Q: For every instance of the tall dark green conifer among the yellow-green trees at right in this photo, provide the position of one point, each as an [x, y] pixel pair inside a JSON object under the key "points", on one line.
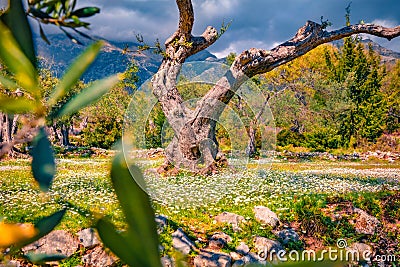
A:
{"points": [[361, 74]]}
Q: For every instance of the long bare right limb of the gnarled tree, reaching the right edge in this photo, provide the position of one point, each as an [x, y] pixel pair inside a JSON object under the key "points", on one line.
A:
{"points": [[256, 61]]}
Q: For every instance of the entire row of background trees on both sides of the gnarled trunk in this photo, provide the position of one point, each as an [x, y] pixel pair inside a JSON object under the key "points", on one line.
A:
{"points": [[330, 98]]}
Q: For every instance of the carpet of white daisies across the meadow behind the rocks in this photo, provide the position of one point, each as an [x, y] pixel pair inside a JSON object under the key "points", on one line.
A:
{"points": [[83, 186]]}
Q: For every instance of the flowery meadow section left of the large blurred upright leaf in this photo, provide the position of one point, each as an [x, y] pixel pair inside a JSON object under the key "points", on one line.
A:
{"points": [[81, 185]]}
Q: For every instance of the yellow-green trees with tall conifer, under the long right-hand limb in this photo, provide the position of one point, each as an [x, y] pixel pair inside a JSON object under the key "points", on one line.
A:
{"points": [[338, 98]]}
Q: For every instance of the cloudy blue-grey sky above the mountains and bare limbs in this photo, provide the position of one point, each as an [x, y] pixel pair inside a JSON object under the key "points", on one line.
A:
{"points": [[255, 23]]}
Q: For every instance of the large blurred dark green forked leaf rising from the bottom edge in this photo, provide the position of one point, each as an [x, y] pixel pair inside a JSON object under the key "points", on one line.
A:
{"points": [[138, 246]]}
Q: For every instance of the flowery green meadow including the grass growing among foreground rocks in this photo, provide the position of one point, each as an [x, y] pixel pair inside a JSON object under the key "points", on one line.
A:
{"points": [[292, 190]]}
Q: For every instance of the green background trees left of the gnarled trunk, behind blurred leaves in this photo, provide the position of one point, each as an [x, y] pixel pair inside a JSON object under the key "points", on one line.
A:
{"points": [[98, 125]]}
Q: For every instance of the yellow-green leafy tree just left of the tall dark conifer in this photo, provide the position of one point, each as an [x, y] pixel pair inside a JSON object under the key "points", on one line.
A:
{"points": [[306, 101]]}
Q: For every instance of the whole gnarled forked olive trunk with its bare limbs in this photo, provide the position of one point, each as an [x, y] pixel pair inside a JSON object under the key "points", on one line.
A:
{"points": [[194, 145]]}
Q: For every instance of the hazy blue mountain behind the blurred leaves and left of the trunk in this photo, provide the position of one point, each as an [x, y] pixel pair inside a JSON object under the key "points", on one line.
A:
{"points": [[62, 51]]}
